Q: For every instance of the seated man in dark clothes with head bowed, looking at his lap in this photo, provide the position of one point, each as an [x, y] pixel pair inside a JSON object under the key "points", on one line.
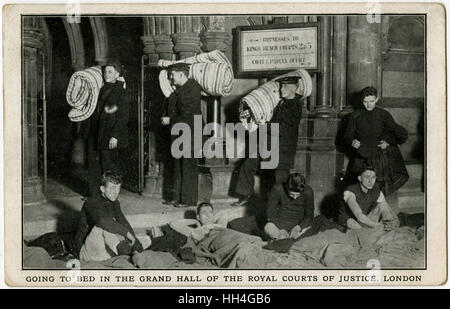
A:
{"points": [[290, 209]]}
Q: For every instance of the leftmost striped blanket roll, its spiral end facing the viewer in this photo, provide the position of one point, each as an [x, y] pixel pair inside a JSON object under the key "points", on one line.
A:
{"points": [[82, 92]]}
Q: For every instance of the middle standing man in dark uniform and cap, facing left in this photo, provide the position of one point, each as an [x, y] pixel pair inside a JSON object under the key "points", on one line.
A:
{"points": [[184, 105]]}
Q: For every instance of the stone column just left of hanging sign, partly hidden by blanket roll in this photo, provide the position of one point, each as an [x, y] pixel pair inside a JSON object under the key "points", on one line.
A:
{"points": [[216, 172]]}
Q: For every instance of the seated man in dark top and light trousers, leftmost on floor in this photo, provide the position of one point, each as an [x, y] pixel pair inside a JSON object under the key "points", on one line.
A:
{"points": [[103, 231]]}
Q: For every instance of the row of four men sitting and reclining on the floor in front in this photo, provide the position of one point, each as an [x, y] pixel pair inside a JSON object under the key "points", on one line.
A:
{"points": [[103, 230]]}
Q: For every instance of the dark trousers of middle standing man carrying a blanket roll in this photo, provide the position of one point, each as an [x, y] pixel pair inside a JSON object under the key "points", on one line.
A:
{"points": [[186, 180]]}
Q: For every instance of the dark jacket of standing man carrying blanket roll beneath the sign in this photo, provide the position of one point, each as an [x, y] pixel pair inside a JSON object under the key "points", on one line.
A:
{"points": [[287, 114]]}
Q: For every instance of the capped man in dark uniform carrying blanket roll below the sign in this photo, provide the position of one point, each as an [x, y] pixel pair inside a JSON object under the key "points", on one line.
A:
{"points": [[287, 114]]}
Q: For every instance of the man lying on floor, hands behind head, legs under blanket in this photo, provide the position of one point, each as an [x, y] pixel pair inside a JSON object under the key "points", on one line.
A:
{"points": [[211, 240]]}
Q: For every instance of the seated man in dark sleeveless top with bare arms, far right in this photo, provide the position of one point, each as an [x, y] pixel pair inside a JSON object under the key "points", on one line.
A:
{"points": [[364, 204]]}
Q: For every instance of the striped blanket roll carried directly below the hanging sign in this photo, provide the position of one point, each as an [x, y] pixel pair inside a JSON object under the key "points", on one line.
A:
{"points": [[262, 101]]}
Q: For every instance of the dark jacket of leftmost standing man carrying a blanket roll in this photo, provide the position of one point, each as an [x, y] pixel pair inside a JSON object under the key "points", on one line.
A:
{"points": [[113, 109]]}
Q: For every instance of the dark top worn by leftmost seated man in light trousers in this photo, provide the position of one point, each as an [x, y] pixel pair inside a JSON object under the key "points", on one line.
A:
{"points": [[107, 215]]}
